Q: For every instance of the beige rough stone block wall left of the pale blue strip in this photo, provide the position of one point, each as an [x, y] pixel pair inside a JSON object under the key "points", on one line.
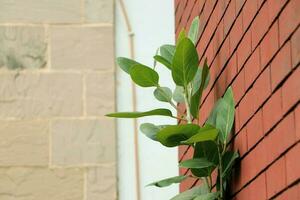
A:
{"points": [[56, 83]]}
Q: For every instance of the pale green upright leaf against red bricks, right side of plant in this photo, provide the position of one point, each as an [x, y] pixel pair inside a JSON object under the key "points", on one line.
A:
{"points": [[225, 116]]}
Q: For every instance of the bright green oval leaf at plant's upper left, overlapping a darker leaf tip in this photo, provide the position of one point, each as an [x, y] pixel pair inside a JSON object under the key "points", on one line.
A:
{"points": [[144, 76]]}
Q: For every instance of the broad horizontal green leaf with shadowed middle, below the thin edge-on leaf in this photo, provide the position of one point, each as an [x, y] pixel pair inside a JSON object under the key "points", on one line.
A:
{"points": [[172, 135]]}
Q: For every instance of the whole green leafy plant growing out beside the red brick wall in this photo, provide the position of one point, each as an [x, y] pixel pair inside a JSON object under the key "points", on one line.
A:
{"points": [[210, 140]]}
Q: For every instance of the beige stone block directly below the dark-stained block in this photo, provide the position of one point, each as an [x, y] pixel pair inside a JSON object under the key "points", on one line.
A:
{"points": [[33, 95]]}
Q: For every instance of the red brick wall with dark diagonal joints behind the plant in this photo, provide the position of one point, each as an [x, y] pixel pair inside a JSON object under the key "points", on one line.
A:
{"points": [[254, 46]]}
